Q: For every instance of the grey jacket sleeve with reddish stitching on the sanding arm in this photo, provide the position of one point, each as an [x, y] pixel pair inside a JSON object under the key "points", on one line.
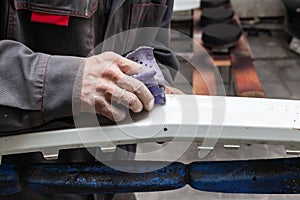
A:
{"points": [[35, 88]]}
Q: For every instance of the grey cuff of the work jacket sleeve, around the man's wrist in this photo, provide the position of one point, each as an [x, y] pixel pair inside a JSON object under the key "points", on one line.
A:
{"points": [[61, 87]]}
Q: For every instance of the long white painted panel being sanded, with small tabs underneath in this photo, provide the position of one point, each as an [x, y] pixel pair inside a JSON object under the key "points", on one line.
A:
{"points": [[184, 117]]}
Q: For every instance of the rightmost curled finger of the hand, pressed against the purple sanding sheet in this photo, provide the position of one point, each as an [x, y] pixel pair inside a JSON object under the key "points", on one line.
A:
{"points": [[139, 89]]}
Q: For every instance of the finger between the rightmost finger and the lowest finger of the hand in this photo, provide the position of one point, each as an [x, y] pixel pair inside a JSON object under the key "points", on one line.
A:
{"points": [[127, 99]]}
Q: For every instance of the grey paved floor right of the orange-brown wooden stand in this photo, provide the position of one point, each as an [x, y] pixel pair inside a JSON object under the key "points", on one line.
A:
{"points": [[277, 67]]}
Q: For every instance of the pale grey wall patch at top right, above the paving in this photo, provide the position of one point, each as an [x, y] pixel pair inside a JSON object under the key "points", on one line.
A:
{"points": [[258, 8]]}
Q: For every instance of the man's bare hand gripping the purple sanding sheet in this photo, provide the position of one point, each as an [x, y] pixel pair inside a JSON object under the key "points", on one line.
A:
{"points": [[106, 79]]}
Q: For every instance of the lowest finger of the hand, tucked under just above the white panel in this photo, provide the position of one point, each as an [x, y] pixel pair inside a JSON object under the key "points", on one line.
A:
{"points": [[108, 110]]}
